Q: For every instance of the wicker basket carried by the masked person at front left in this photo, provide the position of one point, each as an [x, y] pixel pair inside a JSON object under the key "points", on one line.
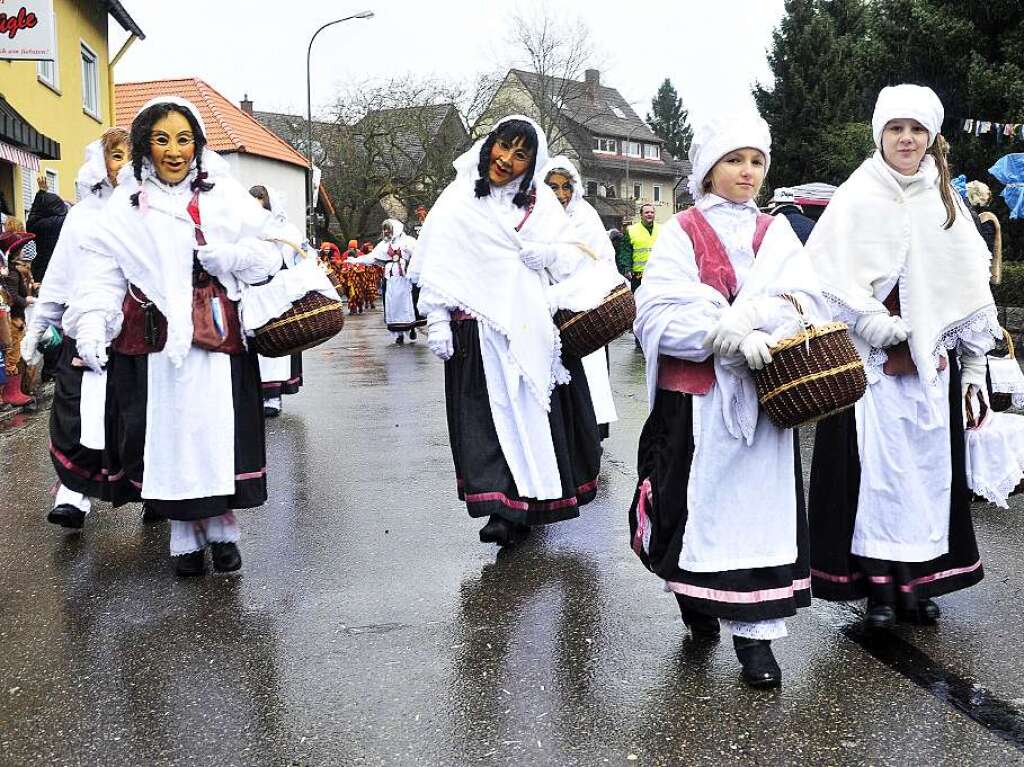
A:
{"points": [[312, 321]]}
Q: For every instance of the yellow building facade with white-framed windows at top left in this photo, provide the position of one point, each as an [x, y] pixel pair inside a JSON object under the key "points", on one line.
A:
{"points": [[70, 101]]}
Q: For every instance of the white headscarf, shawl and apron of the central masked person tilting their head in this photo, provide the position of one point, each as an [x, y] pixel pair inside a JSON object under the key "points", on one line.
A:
{"points": [[468, 258]]}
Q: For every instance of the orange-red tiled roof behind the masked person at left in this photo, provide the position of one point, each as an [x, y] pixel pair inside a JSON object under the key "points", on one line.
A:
{"points": [[229, 129]]}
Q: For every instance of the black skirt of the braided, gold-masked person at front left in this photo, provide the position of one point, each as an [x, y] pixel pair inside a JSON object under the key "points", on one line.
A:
{"points": [[126, 407]]}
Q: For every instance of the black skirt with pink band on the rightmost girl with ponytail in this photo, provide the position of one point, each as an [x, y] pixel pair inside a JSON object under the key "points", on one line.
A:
{"points": [[838, 575]]}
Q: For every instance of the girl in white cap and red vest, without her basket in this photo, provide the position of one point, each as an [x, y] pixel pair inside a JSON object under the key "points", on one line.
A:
{"points": [[719, 510]]}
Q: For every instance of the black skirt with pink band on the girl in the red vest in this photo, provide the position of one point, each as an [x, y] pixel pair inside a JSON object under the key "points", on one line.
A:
{"points": [[658, 521]]}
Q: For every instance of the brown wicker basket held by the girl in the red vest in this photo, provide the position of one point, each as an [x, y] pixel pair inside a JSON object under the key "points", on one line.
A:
{"points": [[813, 375]]}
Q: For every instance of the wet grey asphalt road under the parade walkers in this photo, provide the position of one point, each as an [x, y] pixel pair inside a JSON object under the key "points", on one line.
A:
{"points": [[369, 625]]}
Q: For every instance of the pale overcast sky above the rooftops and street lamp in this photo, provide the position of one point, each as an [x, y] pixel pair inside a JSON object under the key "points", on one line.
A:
{"points": [[713, 51]]}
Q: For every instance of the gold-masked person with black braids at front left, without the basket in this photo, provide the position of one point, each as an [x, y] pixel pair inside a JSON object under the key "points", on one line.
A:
{"points": [[166, 266]]}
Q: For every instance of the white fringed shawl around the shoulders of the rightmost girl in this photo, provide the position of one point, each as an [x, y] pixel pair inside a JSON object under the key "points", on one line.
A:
{"points": [[876, 229]]}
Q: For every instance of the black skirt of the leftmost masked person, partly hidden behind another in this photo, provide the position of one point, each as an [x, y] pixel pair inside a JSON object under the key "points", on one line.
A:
{"points": [[80, 470]]}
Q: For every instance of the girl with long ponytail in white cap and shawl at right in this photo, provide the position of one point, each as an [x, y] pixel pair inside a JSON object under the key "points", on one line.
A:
{"points": [[904, 266]]}
